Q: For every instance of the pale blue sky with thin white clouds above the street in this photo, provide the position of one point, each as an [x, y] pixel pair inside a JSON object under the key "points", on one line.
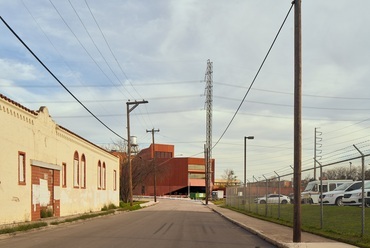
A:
{"points": [[110, 52]]}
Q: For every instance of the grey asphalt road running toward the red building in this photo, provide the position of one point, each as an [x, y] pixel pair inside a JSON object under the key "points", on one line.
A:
{"points": [[170, 223]]}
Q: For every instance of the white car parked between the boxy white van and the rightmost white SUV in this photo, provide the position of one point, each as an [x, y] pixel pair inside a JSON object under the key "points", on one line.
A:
{"points": [[335, 197]]}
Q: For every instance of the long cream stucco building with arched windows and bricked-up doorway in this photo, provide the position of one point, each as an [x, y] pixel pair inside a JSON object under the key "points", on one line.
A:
{"points": [[47, 169]]}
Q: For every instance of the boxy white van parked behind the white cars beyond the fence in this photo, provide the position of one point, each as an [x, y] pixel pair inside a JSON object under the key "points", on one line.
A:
{"points": [[312, 191]]}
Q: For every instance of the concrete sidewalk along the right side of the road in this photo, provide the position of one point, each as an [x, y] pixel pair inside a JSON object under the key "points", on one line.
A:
{"points": [[279, 235]]}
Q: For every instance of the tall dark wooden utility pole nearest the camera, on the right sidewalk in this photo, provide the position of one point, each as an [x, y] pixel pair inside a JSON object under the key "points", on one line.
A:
{"points": [[297, 120]]}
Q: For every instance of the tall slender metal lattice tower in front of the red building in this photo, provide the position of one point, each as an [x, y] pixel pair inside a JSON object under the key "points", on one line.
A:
{"points": [[208, 147]]}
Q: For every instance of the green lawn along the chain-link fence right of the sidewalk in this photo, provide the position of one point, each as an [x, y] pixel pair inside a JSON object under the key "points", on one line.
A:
{"points": [[339, 223]]}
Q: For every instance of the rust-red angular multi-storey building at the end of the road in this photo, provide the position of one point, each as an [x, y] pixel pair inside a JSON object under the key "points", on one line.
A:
{"points": [[174, 175]]}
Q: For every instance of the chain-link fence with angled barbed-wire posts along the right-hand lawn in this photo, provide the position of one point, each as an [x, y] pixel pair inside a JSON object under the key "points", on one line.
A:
{"points": [[273, 197]]}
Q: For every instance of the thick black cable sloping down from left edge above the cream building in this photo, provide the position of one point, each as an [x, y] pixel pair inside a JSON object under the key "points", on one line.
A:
{"points": [[52, 74]]}
